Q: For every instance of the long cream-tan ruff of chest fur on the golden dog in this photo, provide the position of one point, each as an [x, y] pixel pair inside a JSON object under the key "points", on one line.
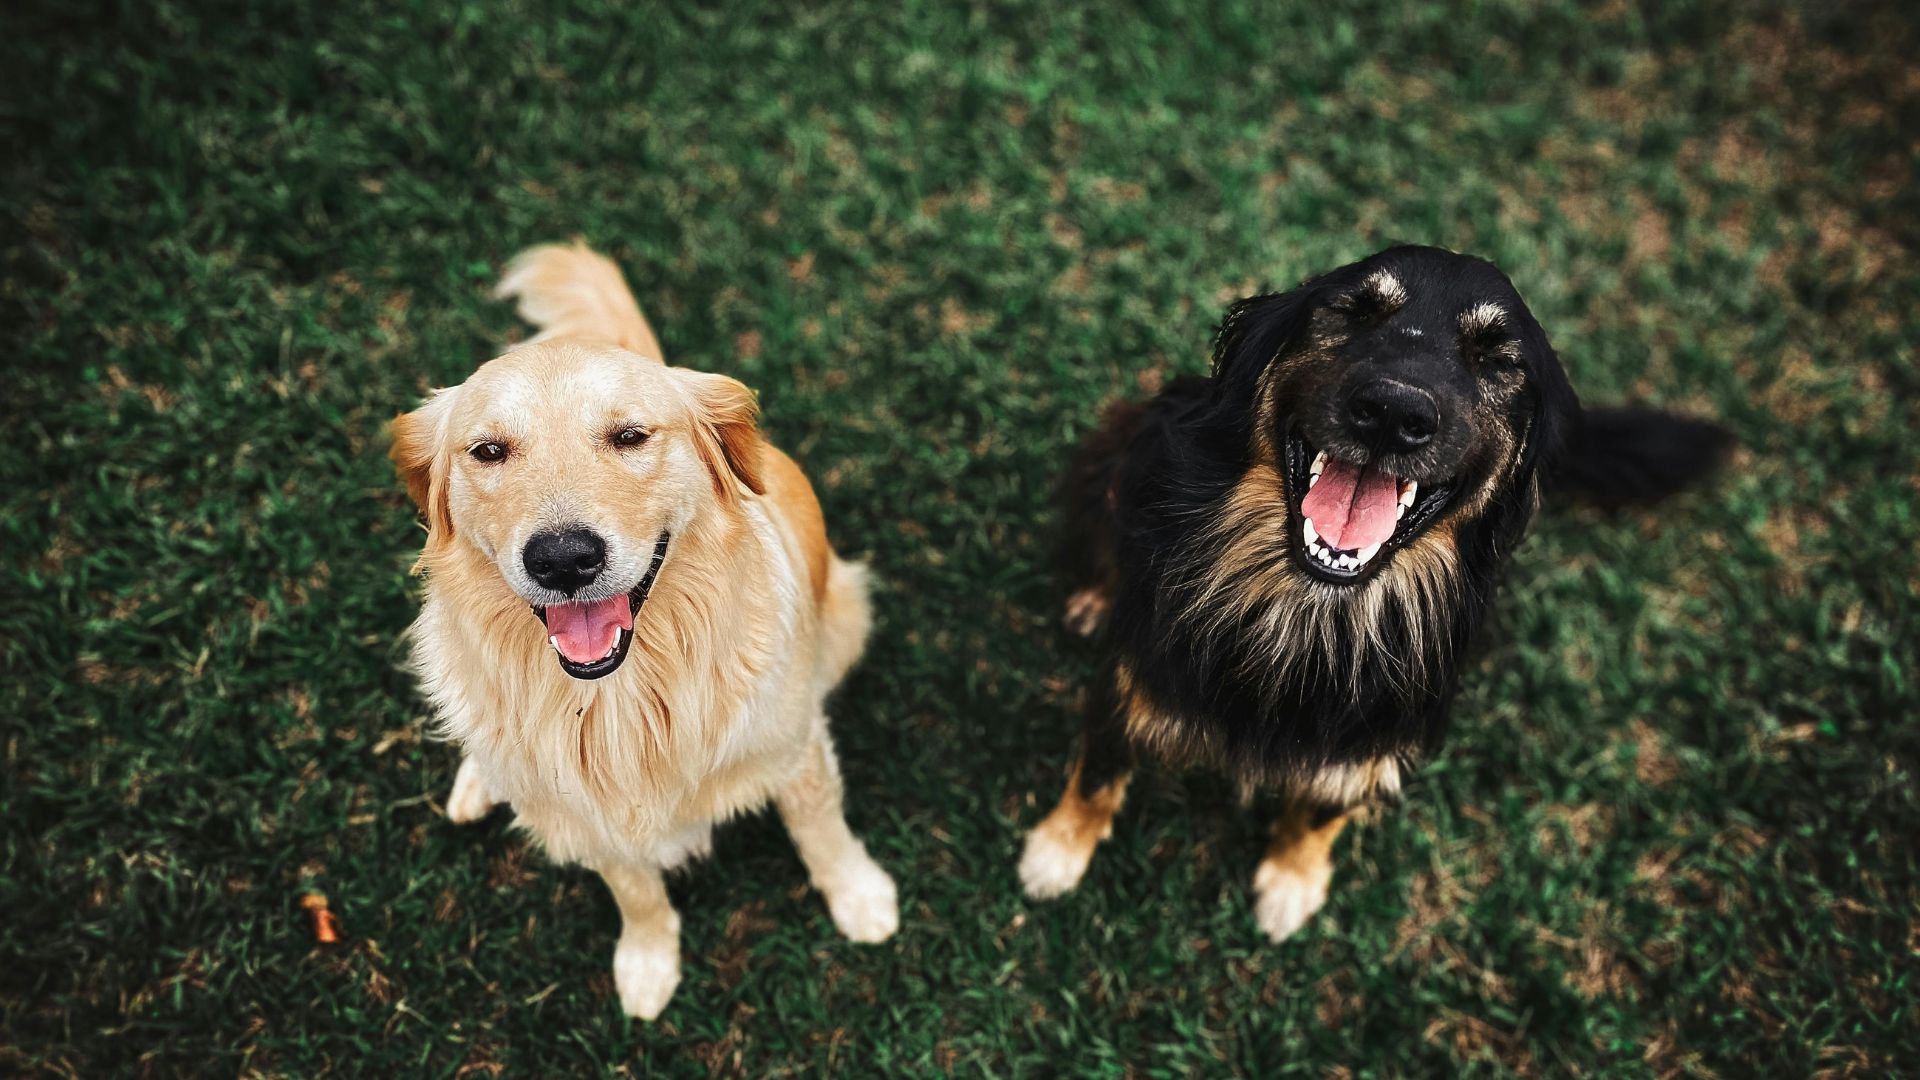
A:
{"points": [[704, 722]]}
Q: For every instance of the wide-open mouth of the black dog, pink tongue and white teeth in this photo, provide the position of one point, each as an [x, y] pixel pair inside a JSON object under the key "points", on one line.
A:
{"points": [[1355, 516]]}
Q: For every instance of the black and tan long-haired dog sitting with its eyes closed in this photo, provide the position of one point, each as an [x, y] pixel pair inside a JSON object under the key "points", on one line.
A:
{"points": [[1289, 560]]}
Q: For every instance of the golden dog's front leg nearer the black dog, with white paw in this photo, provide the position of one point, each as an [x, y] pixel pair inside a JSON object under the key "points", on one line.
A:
{"points": [[861, 896]]}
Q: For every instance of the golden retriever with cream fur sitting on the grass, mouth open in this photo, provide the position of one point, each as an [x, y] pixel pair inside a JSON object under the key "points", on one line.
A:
{"points": [[633, 614]]}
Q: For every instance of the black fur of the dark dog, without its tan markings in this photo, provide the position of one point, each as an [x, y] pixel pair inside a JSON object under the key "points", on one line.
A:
{"points": [[1149, 489]]}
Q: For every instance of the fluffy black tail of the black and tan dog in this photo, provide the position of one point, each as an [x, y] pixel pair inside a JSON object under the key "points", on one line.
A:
{"points": [[1621, 456]]}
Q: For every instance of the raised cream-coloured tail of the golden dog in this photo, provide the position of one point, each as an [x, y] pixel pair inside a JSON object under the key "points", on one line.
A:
{"points": [[569, 291]]}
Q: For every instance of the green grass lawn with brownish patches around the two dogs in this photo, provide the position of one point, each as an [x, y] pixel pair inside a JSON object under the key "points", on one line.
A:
{"points": [[1675, 831]]}
